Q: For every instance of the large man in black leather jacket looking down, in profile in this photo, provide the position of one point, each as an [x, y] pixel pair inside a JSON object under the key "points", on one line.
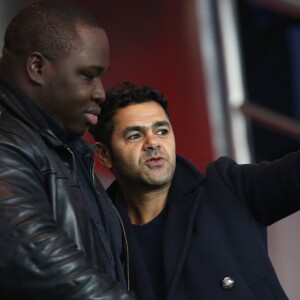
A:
{"points": [[60, 235]]}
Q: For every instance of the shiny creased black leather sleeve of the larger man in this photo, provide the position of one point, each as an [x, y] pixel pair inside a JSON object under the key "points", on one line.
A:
{"points": [[37, 259]]}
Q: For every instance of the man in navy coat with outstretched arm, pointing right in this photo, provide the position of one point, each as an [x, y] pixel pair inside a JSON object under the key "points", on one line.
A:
{"points": [[190, 235]]}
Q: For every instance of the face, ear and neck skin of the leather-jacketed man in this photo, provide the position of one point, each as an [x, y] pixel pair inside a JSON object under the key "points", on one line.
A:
{"points": [[70, 89]]}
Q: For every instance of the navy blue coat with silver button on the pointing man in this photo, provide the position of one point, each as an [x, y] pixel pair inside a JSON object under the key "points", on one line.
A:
{"points": [[216, 227]]}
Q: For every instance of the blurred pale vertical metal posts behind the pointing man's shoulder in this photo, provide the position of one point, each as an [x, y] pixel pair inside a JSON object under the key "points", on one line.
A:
{"points": [[219, 42]]}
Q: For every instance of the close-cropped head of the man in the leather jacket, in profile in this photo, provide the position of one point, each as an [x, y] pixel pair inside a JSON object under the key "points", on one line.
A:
{"points": [[56, 54]]}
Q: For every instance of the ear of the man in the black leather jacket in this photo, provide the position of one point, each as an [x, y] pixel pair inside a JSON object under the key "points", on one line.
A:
{"points": [[35, 67]]}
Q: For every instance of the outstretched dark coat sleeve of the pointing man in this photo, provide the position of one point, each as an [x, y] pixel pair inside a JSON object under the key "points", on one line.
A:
{"points": [[271, 190]]}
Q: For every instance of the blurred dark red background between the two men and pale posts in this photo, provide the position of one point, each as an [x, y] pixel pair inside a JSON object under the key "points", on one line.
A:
{"points": [[156, 43]]}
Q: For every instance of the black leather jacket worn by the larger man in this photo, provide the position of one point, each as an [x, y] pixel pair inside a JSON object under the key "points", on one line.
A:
{"points": [[49, 248]]}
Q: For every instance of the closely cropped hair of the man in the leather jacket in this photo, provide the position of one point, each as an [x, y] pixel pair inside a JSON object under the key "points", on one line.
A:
{"points": [[49, 27]]}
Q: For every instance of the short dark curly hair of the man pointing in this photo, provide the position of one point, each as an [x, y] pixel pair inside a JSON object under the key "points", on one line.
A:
{"points": [[121, 96]]}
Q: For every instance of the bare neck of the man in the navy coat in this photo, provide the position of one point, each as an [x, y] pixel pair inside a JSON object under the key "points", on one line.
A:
{"points": [[143, 207]]}
